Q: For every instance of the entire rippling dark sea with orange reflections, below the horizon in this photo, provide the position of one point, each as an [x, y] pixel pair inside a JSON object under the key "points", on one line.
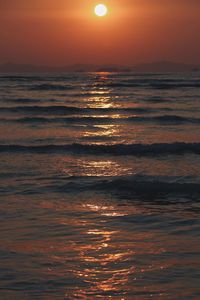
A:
{"points": [[100, 186]]}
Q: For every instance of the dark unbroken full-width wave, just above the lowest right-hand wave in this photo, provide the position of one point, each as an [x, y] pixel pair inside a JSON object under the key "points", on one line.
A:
{"points": [[115, 149]]}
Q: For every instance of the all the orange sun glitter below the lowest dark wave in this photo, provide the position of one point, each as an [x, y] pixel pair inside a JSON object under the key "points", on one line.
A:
{"points": [[108, 260]]}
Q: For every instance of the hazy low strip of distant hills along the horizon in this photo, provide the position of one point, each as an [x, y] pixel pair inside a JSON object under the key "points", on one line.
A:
{"points": [[162, 66]]}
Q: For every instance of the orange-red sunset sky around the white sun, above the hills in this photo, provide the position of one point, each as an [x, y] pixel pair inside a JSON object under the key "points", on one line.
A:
{"points": [[63, 32]]}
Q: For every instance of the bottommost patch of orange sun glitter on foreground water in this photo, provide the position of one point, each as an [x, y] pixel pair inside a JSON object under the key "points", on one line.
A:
{"points": [[104, 266]]}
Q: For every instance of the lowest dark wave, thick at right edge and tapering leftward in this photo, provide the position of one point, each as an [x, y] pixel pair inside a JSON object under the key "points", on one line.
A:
{"points": [[132, 184]]}
